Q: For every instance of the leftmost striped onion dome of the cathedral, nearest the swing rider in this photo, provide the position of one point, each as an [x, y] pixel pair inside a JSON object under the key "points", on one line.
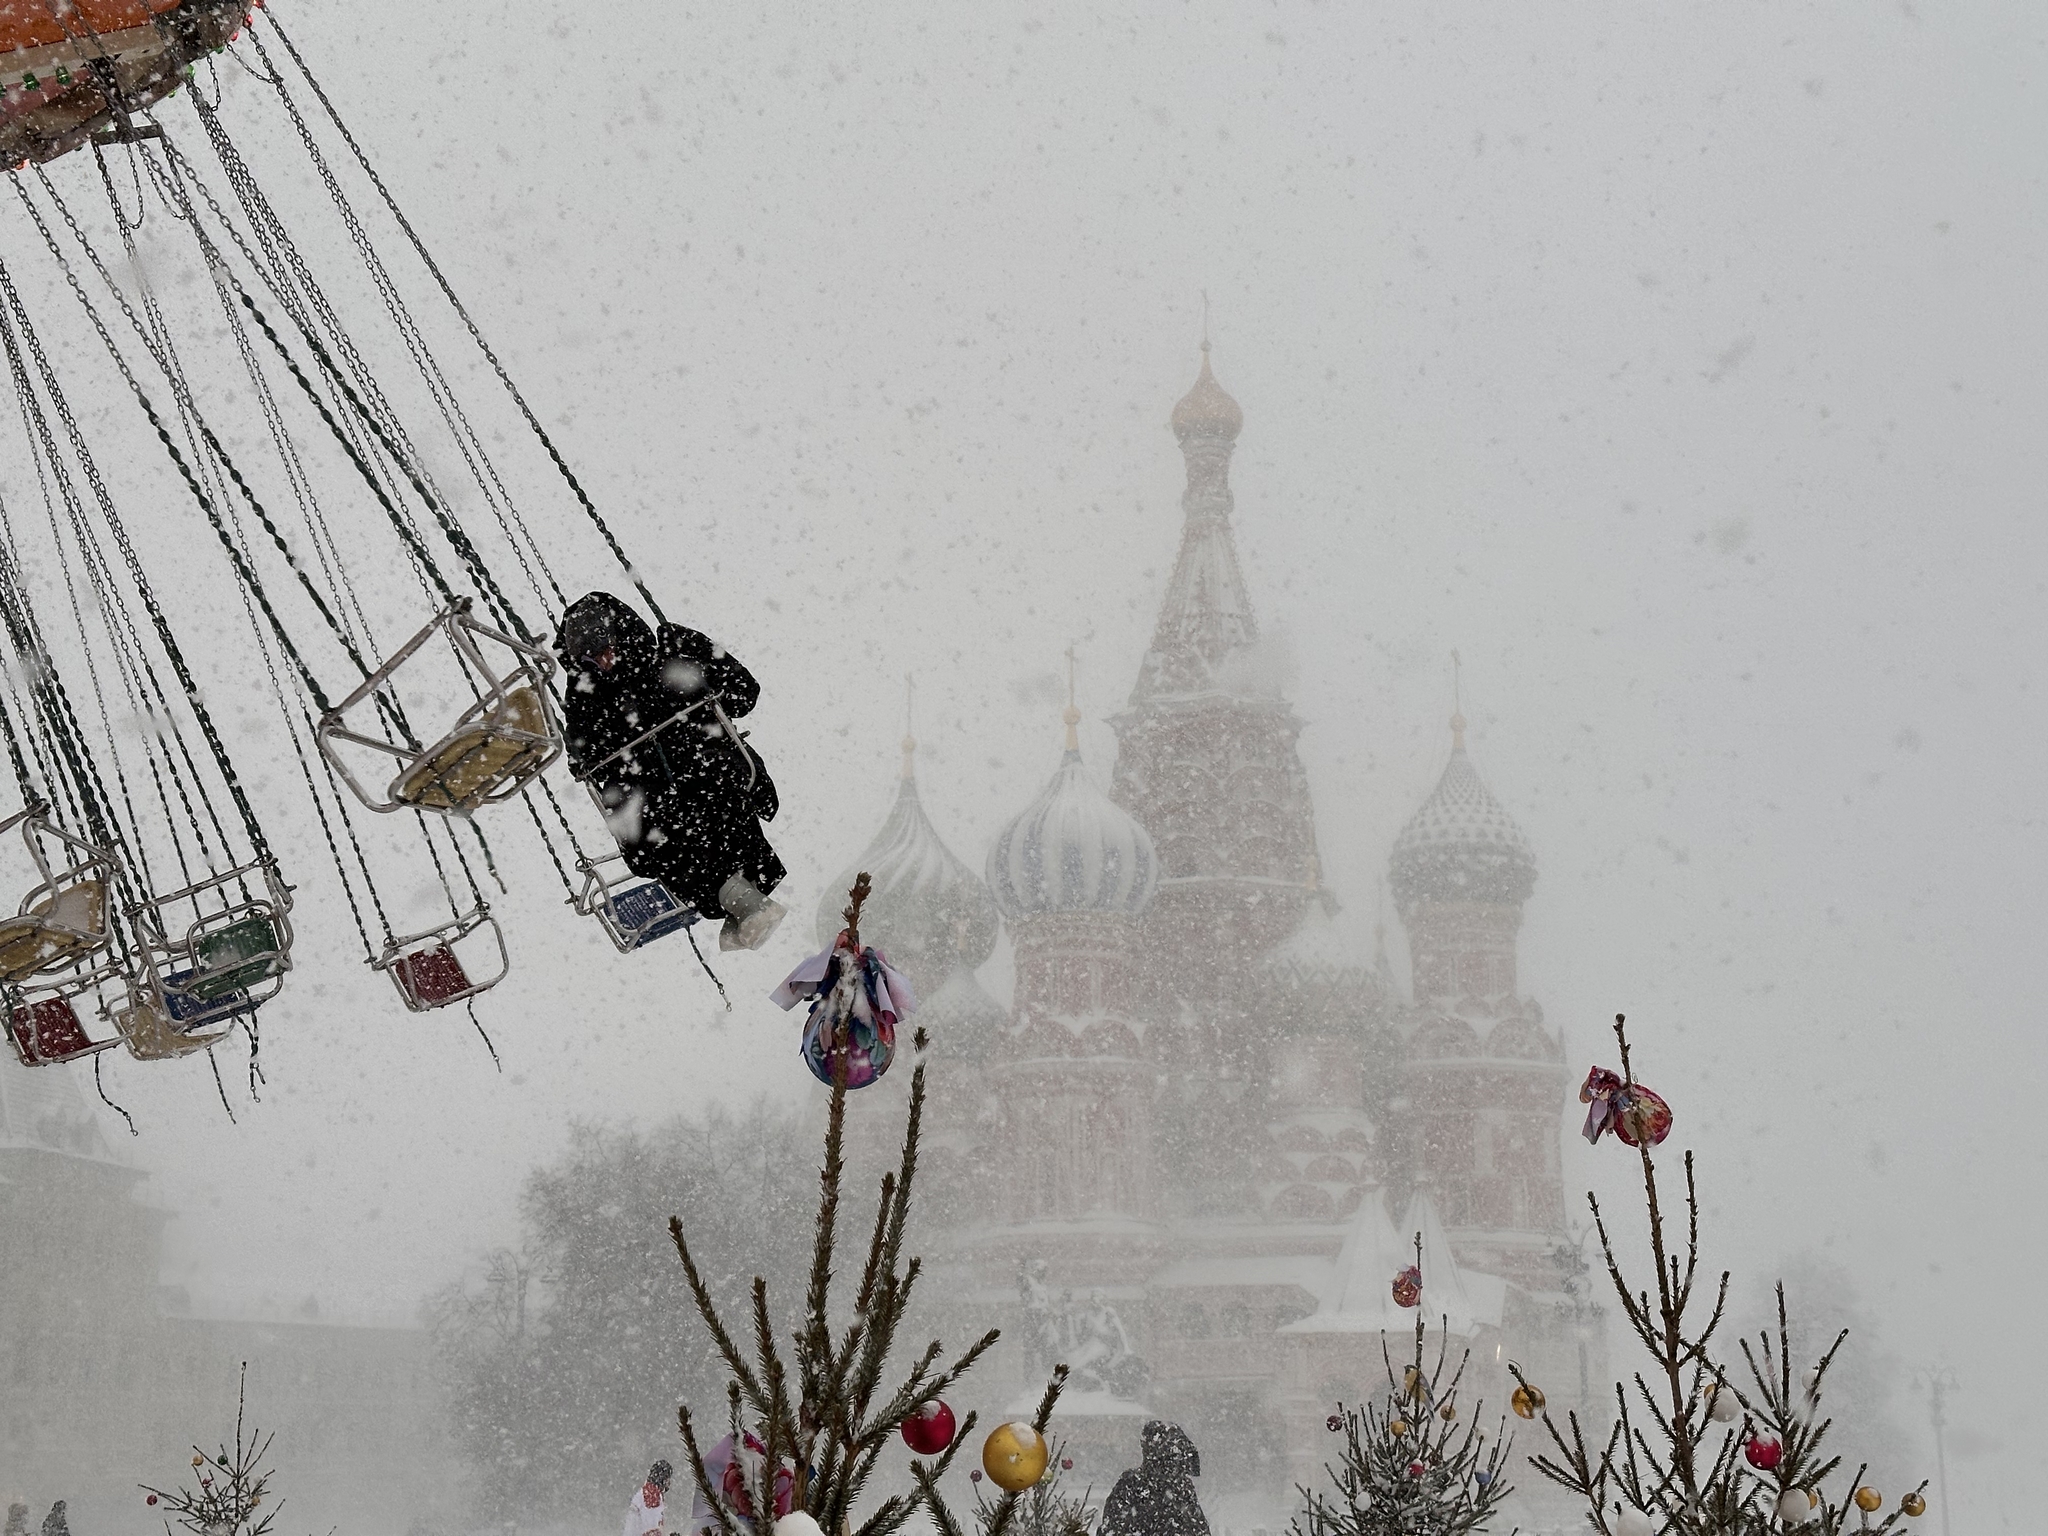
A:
{"points": [[927, 910]]}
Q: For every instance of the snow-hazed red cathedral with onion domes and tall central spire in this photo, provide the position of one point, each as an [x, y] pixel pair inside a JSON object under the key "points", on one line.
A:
{"points": [[1193, 1150]]}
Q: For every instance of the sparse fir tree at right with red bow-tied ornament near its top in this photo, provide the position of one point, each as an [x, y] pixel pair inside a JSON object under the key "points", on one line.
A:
{"points": [[1693, 1453]]}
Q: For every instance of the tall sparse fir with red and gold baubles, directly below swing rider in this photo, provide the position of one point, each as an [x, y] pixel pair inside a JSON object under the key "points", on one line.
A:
{"points": [[812, 1424]]}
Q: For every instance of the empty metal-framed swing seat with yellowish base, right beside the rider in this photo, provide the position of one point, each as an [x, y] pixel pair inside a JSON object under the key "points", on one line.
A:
{"points": [[493, 720]]}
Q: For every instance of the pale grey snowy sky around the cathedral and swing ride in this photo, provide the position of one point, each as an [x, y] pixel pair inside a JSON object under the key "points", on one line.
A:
{"points": [[1682, 370]]}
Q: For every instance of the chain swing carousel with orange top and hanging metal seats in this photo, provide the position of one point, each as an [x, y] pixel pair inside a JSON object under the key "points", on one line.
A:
{"points": [[198, 372]]}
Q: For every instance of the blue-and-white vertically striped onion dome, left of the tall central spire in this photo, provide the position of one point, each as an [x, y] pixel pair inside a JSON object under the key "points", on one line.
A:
{"points": [[1072, 851]]}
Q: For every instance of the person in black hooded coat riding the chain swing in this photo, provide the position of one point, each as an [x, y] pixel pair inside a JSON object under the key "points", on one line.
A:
{"points": [[685, 802]]}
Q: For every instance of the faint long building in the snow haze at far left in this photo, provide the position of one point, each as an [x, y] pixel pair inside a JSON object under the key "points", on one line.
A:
{"points": [[108, 1379]]}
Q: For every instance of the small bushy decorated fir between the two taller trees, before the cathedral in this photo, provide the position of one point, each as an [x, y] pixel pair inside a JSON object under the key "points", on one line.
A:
{"points": [[1410, 1465]]}
